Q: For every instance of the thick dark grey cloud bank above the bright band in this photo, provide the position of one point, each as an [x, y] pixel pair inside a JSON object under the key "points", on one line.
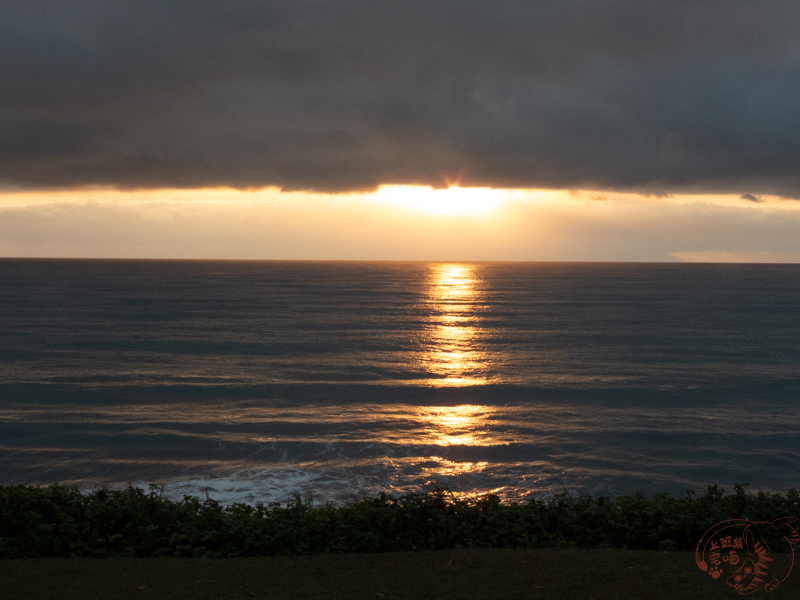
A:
{"points": [[658, 97]]}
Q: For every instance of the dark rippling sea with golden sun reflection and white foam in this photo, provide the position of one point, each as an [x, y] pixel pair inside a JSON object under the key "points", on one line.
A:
{"points": [[249, 381]]}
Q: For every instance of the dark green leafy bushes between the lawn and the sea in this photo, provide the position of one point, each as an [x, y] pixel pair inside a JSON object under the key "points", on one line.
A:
{"points": [[59, 521]]}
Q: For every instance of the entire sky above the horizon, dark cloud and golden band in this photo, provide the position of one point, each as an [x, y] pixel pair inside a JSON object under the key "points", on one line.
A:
{"points": [[618, 130]]}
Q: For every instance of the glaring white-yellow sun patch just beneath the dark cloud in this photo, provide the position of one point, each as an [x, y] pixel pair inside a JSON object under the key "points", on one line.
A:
{"points": [[453, 201]]}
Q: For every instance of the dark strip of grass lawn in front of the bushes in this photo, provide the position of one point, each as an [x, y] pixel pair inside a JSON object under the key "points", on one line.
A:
{"points": [[477, 573]]}
